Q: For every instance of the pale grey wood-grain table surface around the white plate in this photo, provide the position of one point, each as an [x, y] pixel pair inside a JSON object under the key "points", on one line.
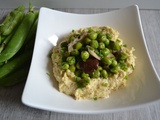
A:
{"points": [[11, 107]]}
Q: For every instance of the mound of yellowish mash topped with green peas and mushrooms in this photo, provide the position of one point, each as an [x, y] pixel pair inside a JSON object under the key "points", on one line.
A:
{"points": [[92, 62]]}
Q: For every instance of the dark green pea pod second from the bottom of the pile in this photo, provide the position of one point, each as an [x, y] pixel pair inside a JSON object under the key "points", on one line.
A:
{"points": [[14, 64]]}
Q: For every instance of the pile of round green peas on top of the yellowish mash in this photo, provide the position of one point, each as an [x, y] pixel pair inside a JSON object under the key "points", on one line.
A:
{"points": [[101, 44]]}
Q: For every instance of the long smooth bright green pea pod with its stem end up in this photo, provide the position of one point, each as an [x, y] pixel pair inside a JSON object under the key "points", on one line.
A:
{"points": [[18, 38]]}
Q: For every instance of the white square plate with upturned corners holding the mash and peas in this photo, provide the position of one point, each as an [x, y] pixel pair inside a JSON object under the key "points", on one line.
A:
{"points": [[41, 92]]}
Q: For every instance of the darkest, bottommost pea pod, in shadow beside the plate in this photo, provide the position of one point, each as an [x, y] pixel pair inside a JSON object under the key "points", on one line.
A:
{"points": [[15, 77]]}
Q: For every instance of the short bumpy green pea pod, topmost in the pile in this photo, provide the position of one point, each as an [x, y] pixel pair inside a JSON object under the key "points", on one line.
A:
{"points": [[12, 20]]}
